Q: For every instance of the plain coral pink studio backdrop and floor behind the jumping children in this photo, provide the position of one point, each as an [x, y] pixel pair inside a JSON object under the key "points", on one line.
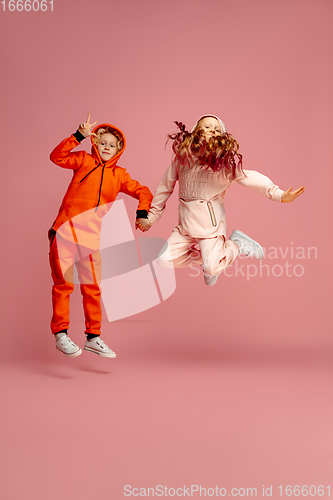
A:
{"points": [[227, 386]]}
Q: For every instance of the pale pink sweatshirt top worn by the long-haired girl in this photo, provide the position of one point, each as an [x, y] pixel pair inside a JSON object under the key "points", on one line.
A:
{"points": [[201, 197]]}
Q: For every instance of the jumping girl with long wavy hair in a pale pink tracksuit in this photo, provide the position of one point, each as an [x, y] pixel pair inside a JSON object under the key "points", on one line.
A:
{"points": [[206, 162]]}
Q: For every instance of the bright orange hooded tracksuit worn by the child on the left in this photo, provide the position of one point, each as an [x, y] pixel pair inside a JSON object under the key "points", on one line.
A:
{"points": [[94, 185]]}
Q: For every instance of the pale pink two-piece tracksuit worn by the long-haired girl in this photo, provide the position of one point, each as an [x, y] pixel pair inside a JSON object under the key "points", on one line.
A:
{"points": [[201, 219]]}
